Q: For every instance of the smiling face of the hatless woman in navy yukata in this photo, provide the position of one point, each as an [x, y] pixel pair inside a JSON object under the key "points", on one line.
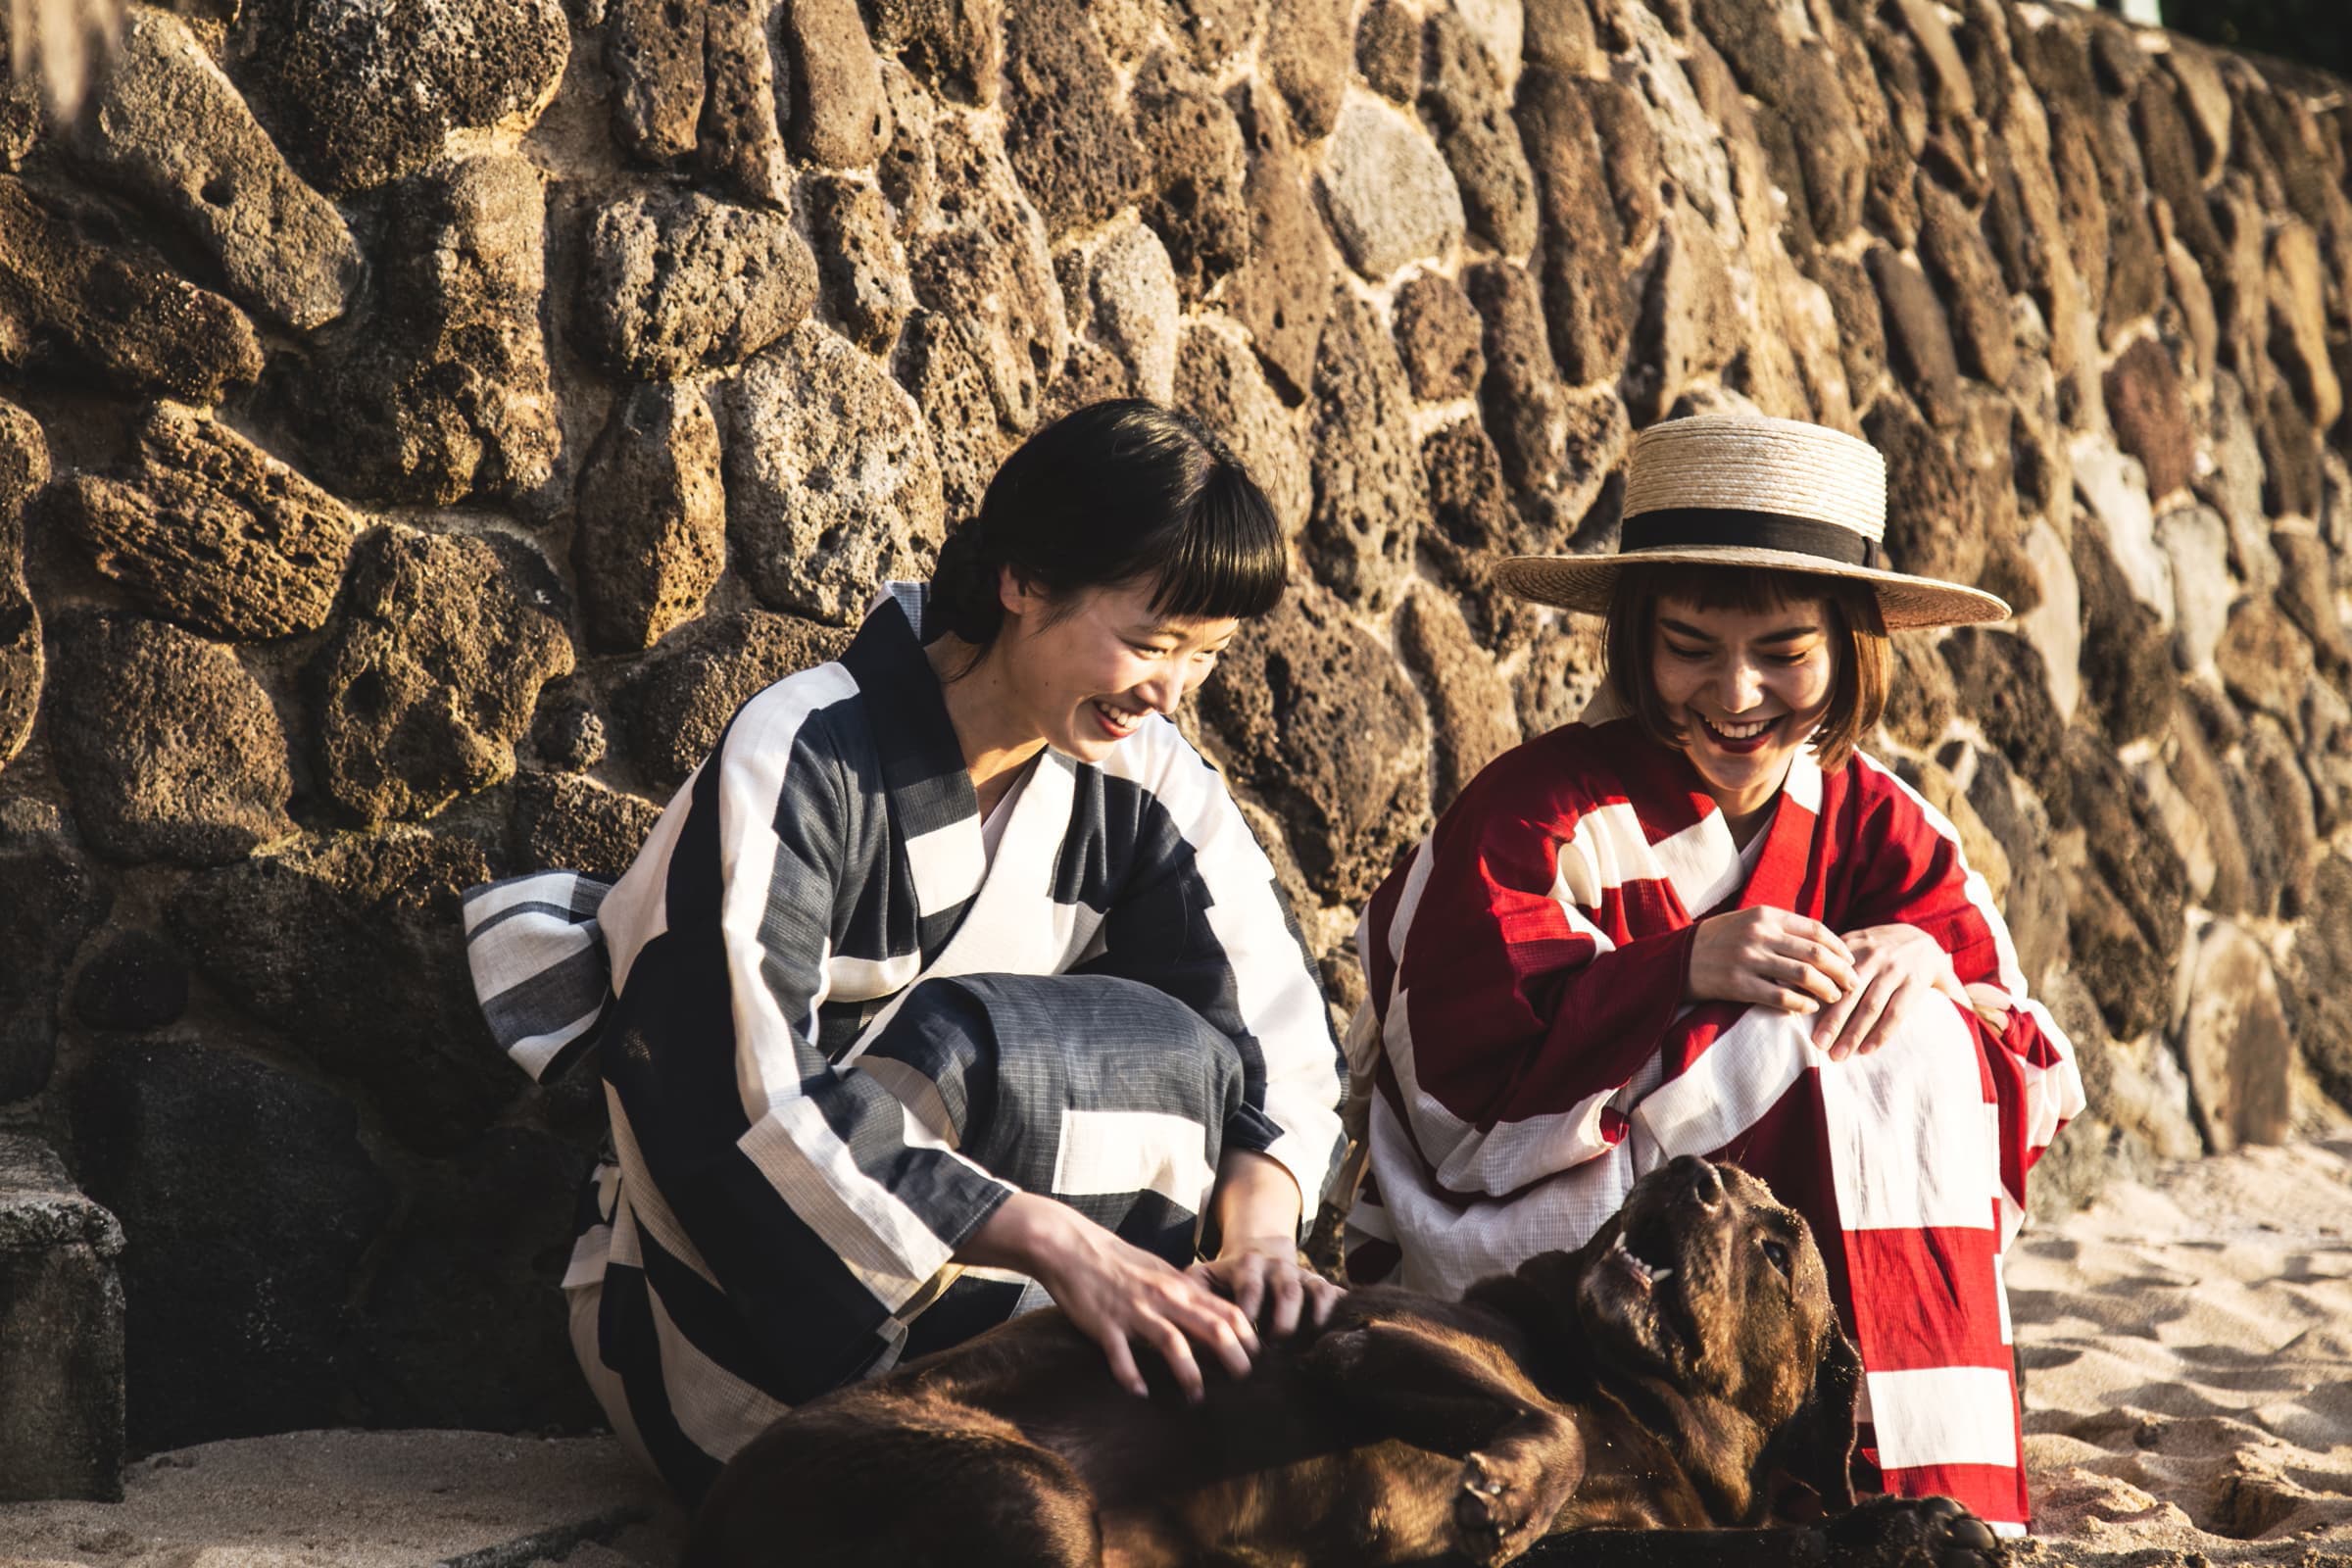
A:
{"points": [[1085, 671]]}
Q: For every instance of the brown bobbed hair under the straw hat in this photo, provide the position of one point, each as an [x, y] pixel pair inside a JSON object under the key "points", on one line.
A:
{"points": [[1857, 638]]}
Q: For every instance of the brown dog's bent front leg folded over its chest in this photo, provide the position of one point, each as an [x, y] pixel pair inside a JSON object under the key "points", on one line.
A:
{"points": [[1419, 1386]]}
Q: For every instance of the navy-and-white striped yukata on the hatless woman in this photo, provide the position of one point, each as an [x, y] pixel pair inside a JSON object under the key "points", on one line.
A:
{"points": [[838, 1036]]}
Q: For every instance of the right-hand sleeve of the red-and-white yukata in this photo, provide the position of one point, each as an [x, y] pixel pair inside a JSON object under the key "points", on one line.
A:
{"points": [[1906, 866]]}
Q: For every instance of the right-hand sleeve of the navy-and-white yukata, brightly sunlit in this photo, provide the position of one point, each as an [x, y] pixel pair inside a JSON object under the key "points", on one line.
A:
{"points": [[1203, 920]]}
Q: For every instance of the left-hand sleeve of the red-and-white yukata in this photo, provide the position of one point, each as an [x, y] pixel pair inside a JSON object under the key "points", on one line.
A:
{"points": [[1525, 974]]}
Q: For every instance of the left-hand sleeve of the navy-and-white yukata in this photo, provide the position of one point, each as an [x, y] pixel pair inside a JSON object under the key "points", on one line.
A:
{"points": [[803, 1188]]}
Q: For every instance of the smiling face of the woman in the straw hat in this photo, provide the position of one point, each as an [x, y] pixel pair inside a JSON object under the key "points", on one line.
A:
{"points": [[1746, 688]]}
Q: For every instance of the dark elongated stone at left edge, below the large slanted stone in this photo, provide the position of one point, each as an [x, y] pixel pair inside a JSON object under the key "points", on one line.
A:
{"points": [[72, 304]]}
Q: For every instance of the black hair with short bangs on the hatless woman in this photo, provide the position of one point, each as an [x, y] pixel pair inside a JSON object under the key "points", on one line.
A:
{"points": [[1118, 492]]}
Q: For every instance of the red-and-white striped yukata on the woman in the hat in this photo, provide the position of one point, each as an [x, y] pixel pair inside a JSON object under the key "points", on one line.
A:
{"points": [[1537, 1057]]}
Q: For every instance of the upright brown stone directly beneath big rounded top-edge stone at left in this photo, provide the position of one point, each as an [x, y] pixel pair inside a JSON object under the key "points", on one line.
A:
{"points": [[448, 391]]}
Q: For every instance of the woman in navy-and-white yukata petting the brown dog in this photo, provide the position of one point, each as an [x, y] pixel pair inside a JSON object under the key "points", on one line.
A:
{"points": [[951, 984]]}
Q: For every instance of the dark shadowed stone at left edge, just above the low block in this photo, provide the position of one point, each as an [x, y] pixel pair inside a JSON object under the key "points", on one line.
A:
{"points": [[55, 902]]}
